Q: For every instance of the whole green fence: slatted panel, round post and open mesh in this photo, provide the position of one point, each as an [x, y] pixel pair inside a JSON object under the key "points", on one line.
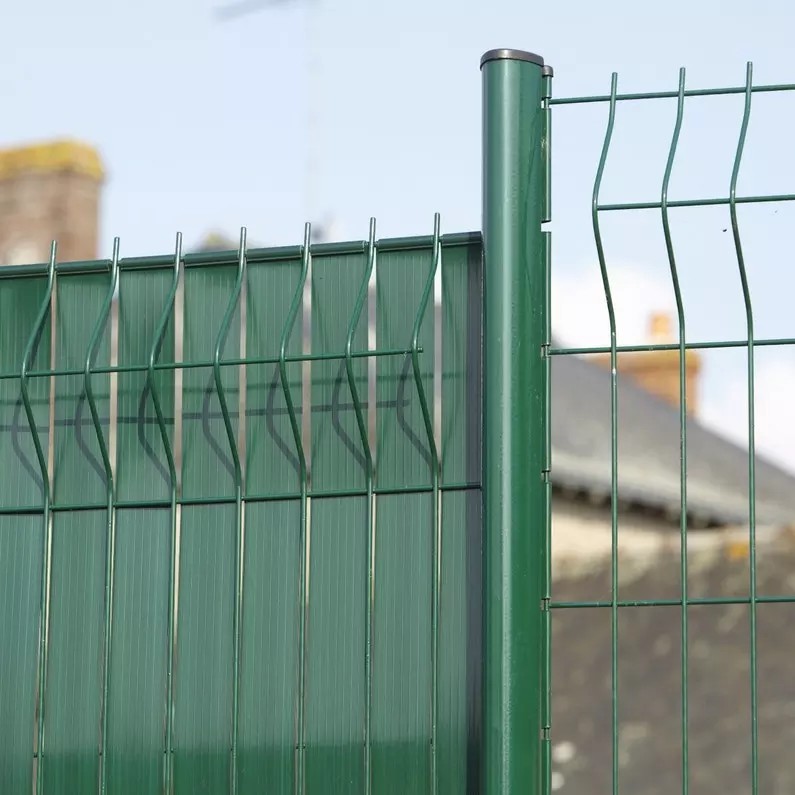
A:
{"points": [[282, 519]]}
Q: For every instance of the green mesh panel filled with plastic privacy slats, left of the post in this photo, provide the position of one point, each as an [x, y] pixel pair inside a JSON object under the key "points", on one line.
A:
{"points": [[240, 529]]}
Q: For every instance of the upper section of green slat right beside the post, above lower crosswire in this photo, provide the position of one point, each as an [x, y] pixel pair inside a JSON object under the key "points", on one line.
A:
{"points": [[462, 311]]}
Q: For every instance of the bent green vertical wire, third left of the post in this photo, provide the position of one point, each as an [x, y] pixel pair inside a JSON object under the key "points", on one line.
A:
{"points": [[295, 426]]}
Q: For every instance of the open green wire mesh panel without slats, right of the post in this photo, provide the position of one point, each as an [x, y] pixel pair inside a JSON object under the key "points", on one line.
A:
{"points": [[685, 602]]}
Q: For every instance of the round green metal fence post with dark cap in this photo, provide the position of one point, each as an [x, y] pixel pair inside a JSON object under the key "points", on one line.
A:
{"points": [[514, 419]]}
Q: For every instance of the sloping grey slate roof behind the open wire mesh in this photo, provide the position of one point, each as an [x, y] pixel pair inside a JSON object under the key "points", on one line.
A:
{"points": [[649, 455]]}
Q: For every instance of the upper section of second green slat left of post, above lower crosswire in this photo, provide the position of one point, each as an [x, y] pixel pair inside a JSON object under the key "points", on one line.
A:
{"points": [[403, 455]]}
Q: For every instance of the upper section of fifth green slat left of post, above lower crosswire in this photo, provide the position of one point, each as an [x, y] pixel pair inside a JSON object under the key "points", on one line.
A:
{"points": [[207, 468]]}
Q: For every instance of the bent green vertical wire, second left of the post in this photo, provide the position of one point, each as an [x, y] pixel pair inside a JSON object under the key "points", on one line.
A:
{"points": [[370, 475]]}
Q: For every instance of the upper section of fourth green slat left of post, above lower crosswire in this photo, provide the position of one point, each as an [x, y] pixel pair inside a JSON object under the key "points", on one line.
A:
{"points": [[272, 462]]}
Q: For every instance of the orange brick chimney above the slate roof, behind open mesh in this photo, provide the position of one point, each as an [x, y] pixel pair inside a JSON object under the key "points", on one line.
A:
{"points": [[658, 371]]}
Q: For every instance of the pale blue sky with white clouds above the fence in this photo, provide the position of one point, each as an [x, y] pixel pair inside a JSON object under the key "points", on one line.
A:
{"points": [[203, 126]]}
